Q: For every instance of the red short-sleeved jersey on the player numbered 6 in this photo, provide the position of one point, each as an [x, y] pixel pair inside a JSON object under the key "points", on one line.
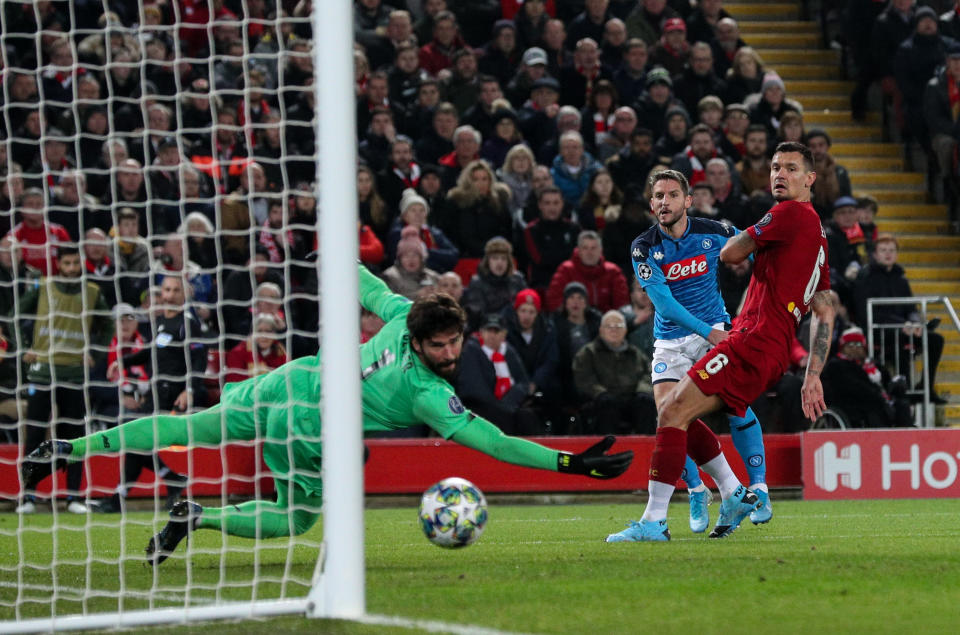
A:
{"points": [[790, 266]]}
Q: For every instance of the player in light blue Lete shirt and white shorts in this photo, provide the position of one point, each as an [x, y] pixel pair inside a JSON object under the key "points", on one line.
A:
{"points": [[677, 262]]}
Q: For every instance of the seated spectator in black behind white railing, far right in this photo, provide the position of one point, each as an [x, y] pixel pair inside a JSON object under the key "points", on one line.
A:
{"points": [[883, 277]]}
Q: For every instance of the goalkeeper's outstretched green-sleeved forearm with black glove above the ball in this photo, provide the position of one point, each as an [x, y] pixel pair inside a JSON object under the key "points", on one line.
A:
{"points": [[483, 436]]}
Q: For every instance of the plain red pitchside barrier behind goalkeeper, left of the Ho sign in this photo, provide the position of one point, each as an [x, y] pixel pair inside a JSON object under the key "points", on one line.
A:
{"points": [[409, 466]]}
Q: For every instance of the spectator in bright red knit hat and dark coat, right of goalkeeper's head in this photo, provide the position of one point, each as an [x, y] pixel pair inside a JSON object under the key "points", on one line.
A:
{"points": [[532, 335]]}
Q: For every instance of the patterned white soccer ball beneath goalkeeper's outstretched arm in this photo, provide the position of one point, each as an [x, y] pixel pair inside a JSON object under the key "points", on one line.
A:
{"points": [[453, 513]]}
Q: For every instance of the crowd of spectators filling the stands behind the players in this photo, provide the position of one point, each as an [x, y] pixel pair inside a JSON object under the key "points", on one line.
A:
{"points": [[504, 147]]}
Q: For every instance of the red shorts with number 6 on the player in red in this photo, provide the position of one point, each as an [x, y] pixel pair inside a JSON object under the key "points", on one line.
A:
{"points": [[738, 370]]}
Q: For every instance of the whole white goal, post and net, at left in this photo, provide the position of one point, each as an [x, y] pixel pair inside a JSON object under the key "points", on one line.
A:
{"points": [[166, 231]]}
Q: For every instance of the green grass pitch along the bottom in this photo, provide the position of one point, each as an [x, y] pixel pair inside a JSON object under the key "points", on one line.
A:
{"points": [[837, 567]]}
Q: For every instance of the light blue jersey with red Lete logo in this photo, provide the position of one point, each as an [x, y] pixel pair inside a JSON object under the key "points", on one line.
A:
{"points": [[681, 277]]}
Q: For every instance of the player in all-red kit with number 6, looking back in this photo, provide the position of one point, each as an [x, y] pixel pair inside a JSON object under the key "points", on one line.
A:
{"points": [[790, 278]]}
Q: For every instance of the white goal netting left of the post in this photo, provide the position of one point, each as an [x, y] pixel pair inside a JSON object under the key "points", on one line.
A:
{"points": [[160, 138]]}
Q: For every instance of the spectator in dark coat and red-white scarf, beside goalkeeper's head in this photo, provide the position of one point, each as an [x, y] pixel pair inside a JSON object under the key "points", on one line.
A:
{"points": [[493, 381]]}
